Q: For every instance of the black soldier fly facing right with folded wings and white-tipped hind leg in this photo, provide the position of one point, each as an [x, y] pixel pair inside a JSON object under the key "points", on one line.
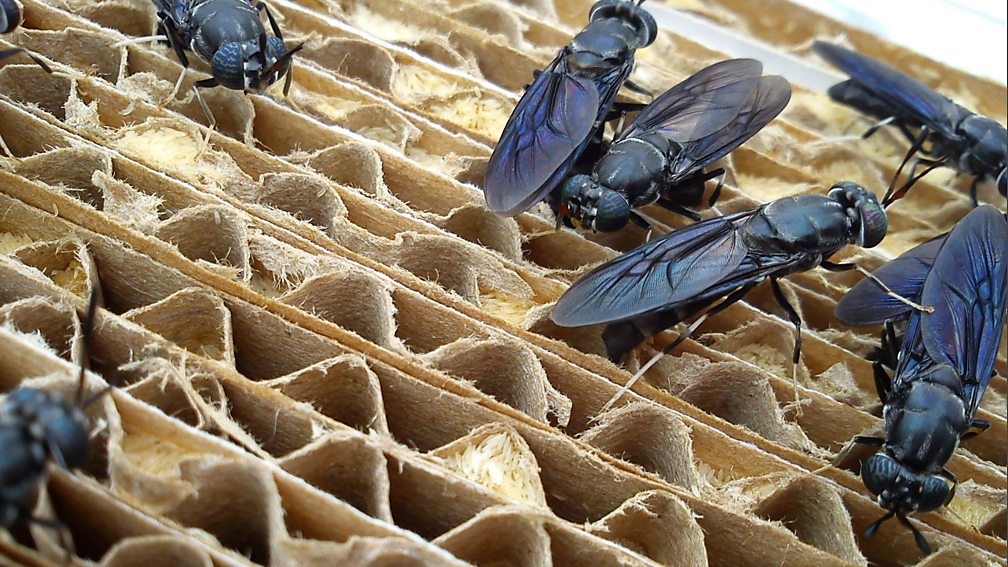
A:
{"points": [[676, 277]]}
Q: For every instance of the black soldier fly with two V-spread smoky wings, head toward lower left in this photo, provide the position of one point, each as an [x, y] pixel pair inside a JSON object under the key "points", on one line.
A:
{"points": [[662, 156]]}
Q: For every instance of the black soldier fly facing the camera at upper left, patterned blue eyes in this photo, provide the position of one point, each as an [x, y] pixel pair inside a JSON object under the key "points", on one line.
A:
{"points": [[229, 36]]}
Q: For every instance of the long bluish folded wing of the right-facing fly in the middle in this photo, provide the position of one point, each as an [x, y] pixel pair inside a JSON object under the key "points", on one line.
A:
{"points": [[656, 276]]}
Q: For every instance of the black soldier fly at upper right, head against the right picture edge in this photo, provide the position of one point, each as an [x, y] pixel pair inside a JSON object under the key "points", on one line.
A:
{"points": [[961, 140]]}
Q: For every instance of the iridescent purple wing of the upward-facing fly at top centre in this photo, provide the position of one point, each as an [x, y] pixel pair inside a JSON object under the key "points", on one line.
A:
{"points": [[548, 131]]}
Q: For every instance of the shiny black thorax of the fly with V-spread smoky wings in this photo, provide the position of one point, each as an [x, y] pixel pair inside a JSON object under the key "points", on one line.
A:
{"points": [[635, 168]]}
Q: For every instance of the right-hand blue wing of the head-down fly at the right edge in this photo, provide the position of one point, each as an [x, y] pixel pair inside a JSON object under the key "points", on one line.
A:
{"points": [[967, 287]]}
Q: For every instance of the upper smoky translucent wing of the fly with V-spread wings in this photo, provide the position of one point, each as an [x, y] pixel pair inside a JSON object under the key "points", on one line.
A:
{"points": [[701, 105]]}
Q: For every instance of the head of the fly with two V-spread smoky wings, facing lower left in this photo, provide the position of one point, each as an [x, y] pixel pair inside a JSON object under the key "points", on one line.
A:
{"points": [[592, 206]]}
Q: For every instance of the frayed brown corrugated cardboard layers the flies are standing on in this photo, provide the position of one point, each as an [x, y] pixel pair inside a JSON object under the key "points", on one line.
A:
{"points": [[327, 351]]}
